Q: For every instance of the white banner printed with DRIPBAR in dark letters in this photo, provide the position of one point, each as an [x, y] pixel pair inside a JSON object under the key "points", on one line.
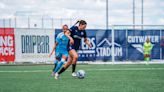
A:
{"points": [[34, 45]]}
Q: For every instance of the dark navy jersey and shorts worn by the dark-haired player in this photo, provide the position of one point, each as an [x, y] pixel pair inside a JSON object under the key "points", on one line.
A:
{"points": [[77, 35]]}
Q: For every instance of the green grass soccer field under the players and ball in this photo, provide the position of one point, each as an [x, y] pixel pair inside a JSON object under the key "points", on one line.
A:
{"points": [[99, 78]]}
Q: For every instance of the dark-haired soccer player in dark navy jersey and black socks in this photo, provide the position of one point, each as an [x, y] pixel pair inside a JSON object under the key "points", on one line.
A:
{"points": [[77, 33]]}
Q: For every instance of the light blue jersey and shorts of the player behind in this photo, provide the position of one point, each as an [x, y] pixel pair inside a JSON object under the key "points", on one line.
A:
{"points": [[61, 48]]}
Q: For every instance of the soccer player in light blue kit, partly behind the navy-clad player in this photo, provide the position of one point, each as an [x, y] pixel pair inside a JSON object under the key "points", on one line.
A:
{"points": [[63, 39]]}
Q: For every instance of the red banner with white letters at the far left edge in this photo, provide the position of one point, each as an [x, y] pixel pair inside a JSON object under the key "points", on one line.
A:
{"points": [[7, 45]]}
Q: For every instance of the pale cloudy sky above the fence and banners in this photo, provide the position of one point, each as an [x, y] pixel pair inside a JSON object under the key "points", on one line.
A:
{"points": [[93, 11]]}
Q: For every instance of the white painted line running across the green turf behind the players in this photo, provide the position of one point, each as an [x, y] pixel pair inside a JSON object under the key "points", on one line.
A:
{"points": [[107, 69]]}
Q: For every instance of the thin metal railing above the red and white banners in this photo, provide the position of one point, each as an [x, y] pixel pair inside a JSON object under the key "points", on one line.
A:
{"points": [[28, 22]]}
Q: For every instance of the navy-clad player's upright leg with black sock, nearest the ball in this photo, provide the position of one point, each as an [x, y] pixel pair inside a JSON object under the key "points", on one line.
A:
{"points": [[74, 56]]}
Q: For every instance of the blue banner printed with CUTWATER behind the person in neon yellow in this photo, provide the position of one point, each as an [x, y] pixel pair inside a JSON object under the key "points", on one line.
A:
{"points": [[136, 39]]}
